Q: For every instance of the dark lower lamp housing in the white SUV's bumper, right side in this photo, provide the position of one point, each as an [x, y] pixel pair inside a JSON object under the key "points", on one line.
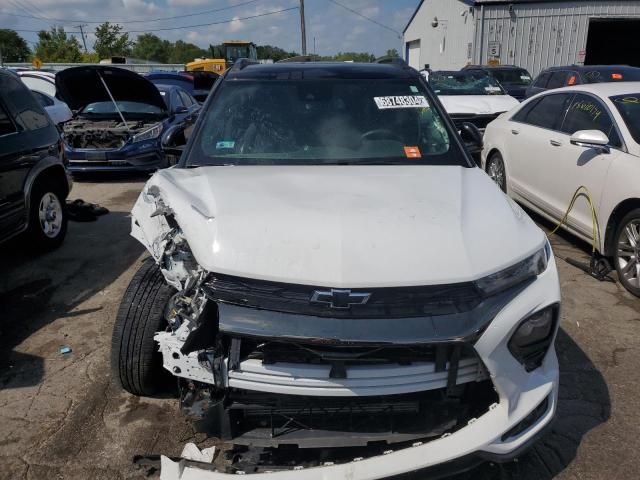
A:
{"points": [[531, 340]]}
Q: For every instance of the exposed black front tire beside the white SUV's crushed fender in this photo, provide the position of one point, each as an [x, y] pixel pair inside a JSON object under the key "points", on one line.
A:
{"points": [[136, 362]]}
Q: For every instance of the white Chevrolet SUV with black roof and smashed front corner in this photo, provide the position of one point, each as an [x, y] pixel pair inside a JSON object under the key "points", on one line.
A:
{"points": [[330, 272]]}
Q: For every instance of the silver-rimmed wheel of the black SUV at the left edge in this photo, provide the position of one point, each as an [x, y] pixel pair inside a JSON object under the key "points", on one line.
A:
{"points": [[47, 218]]}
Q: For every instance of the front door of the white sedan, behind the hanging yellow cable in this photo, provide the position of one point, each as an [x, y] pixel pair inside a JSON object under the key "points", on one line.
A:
{"points": [[576, 166]]}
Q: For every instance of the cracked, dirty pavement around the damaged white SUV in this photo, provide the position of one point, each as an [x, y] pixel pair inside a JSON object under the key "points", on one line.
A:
{"points": [[61, 416]]}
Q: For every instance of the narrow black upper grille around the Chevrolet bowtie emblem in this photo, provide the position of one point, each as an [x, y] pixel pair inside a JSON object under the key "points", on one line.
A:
{"points": [[394, 302]]}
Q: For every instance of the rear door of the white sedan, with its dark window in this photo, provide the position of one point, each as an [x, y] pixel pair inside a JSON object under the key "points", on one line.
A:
{"points": [[528, 159]]}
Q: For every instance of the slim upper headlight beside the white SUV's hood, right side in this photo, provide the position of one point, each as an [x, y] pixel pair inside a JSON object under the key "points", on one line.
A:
{"points": [[529, 268]]}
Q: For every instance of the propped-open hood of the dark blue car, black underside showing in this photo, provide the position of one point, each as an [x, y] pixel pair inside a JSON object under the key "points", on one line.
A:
{"points": [[80, 86]]}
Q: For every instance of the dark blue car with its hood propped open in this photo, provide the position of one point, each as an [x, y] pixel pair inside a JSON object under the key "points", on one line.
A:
{"points": [[119, 119]]}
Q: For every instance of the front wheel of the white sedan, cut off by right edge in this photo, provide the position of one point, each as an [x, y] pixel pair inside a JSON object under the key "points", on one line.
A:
{"points": [[627, 251]]}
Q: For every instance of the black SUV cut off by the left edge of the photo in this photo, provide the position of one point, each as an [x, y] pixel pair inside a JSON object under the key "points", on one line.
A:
{"points": [[33, 177]]}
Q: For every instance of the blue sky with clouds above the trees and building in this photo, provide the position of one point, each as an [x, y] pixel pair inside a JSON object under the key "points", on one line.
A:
{"points": [[333, 27]]}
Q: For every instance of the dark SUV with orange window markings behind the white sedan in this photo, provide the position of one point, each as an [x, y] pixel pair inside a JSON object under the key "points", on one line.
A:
{"points": [[557, 77]]}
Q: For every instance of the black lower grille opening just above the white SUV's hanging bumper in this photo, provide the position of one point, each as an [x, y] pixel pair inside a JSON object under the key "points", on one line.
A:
{"points": [[271, 420]]}
